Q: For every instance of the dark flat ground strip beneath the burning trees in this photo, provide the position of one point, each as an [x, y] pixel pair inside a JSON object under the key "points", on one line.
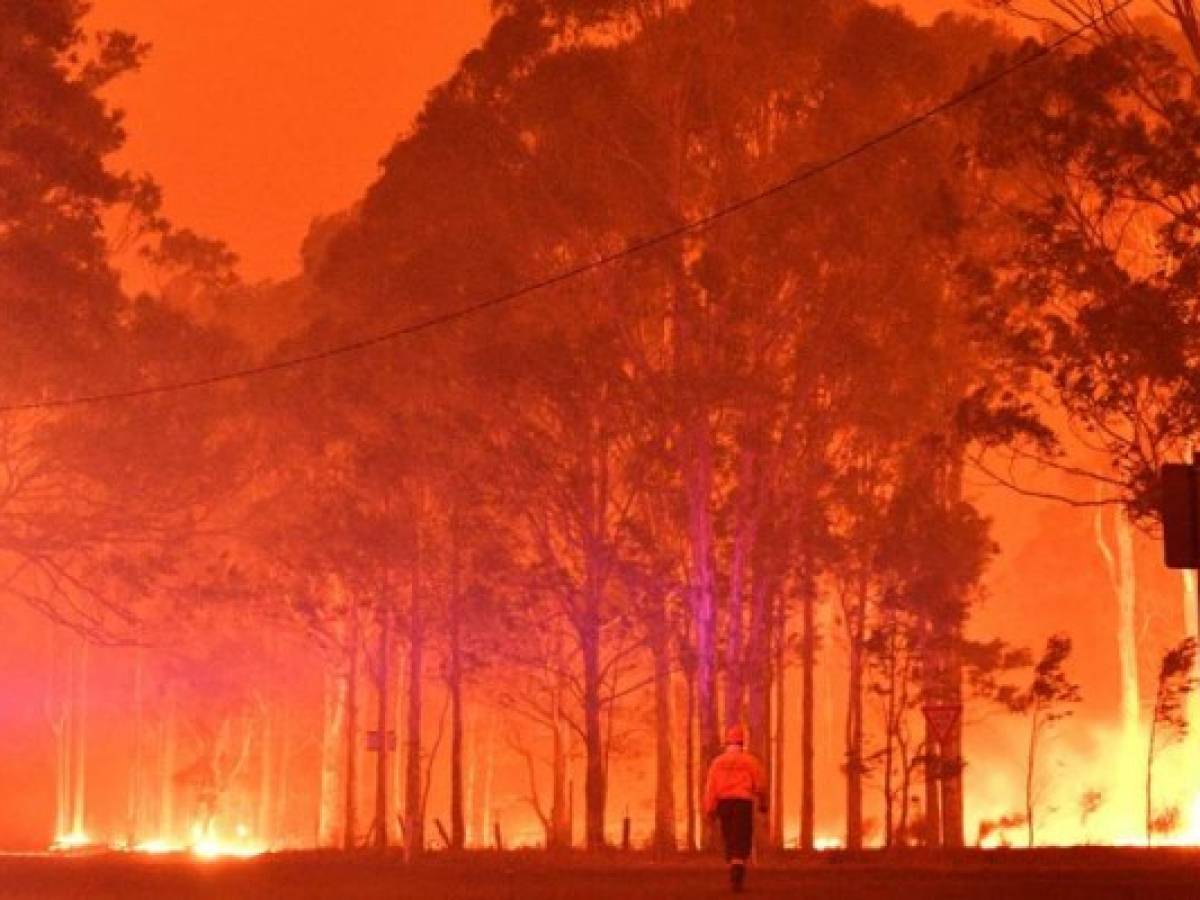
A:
{"points": [[1087, 874]]}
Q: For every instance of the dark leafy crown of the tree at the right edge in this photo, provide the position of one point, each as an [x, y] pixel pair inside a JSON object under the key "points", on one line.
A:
{"points": [[1100, 289]]}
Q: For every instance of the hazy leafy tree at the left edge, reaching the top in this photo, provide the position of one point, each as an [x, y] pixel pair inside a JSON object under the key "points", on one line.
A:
{"points": [[94, 493]]}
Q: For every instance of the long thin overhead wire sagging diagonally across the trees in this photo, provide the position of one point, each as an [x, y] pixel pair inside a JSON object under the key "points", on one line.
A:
{"points": [[632, 249]]}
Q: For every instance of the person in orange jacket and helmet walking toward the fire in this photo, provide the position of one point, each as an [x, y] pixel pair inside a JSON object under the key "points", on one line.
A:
{"points": [[736, 785]]}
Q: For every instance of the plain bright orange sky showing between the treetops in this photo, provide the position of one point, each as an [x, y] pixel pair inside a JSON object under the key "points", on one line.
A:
{"points": [[257, 116]]}
